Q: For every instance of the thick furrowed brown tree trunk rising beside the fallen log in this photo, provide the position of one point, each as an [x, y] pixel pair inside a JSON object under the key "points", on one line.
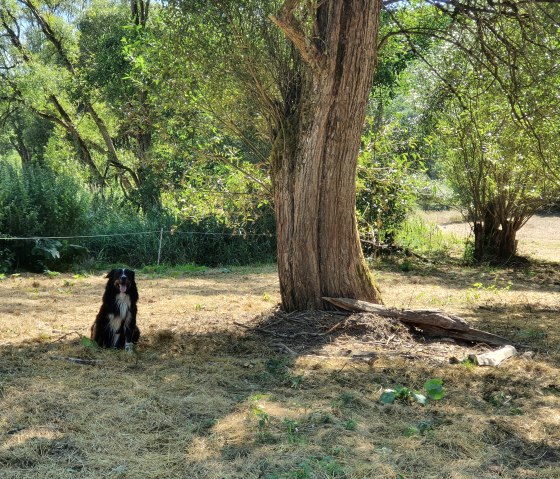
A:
{"points": [[315, 156]]}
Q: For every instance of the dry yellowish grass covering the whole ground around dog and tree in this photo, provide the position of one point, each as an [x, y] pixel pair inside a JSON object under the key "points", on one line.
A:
{"points": [[204, 398]]}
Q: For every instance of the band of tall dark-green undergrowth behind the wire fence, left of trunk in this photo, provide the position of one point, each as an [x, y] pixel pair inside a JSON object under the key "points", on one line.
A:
{"points": [[35, 202]]}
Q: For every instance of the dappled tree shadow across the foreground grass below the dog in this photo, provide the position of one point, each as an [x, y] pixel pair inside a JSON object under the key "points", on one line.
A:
{"points": [[226, 404]]}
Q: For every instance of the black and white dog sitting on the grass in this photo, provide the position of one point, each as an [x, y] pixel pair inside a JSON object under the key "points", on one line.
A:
{"points": [[115, 325]]}
